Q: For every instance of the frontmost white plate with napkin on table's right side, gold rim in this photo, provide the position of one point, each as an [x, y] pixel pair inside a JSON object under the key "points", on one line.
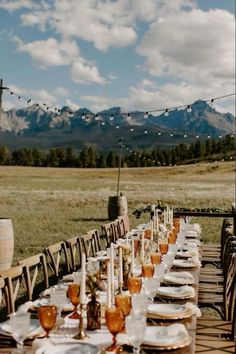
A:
{"points": [[166, 337]]}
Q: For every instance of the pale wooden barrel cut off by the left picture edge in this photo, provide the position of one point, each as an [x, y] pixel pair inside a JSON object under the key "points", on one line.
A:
{"points": [[6, 243]]}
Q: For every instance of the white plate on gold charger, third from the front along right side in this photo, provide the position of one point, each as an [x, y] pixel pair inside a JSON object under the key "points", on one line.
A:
{"points": [[176, 292]]}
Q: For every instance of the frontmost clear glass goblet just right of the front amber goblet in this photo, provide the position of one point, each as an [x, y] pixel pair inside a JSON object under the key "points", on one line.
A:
{"points": [[135, 326]]}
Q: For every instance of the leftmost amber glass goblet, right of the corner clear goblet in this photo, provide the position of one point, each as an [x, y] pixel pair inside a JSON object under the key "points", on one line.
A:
{"points": [[47, 317]]}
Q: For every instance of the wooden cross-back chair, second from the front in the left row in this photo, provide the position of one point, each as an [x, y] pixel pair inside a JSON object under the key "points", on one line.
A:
{"points": [[36, 274]]}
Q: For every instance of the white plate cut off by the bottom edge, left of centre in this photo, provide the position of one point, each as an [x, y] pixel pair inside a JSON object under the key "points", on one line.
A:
{"points": [[66, 348]]}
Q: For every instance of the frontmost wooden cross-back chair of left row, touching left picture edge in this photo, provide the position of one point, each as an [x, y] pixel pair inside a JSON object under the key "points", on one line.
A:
{"points": [[15, 287]]}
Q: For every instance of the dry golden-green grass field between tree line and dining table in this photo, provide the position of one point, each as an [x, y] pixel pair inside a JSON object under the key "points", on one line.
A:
{"points": [[47, 205]]}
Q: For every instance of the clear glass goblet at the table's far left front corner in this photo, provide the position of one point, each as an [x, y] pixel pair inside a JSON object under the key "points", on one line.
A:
{"points": [[20, 324]]}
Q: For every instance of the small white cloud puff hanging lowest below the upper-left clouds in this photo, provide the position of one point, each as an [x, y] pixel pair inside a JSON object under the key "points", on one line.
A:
{"points": [[85, 72]]}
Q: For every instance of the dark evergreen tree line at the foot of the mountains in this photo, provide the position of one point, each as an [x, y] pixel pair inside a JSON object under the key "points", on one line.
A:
{"points": [[89, 157]]}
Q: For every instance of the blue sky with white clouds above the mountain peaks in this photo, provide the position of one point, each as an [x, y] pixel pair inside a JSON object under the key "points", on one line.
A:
{"points": [[137, 54]]}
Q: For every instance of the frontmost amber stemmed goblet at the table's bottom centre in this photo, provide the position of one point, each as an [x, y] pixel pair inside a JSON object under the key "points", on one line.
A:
{"points": [[115, 323]]}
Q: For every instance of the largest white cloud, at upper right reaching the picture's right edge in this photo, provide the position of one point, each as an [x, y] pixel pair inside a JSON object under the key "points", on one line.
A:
{"points": [[197, 46]]}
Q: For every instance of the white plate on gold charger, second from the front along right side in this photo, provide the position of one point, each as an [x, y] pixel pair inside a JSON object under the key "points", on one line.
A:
{"points": [[168, 311]]}
